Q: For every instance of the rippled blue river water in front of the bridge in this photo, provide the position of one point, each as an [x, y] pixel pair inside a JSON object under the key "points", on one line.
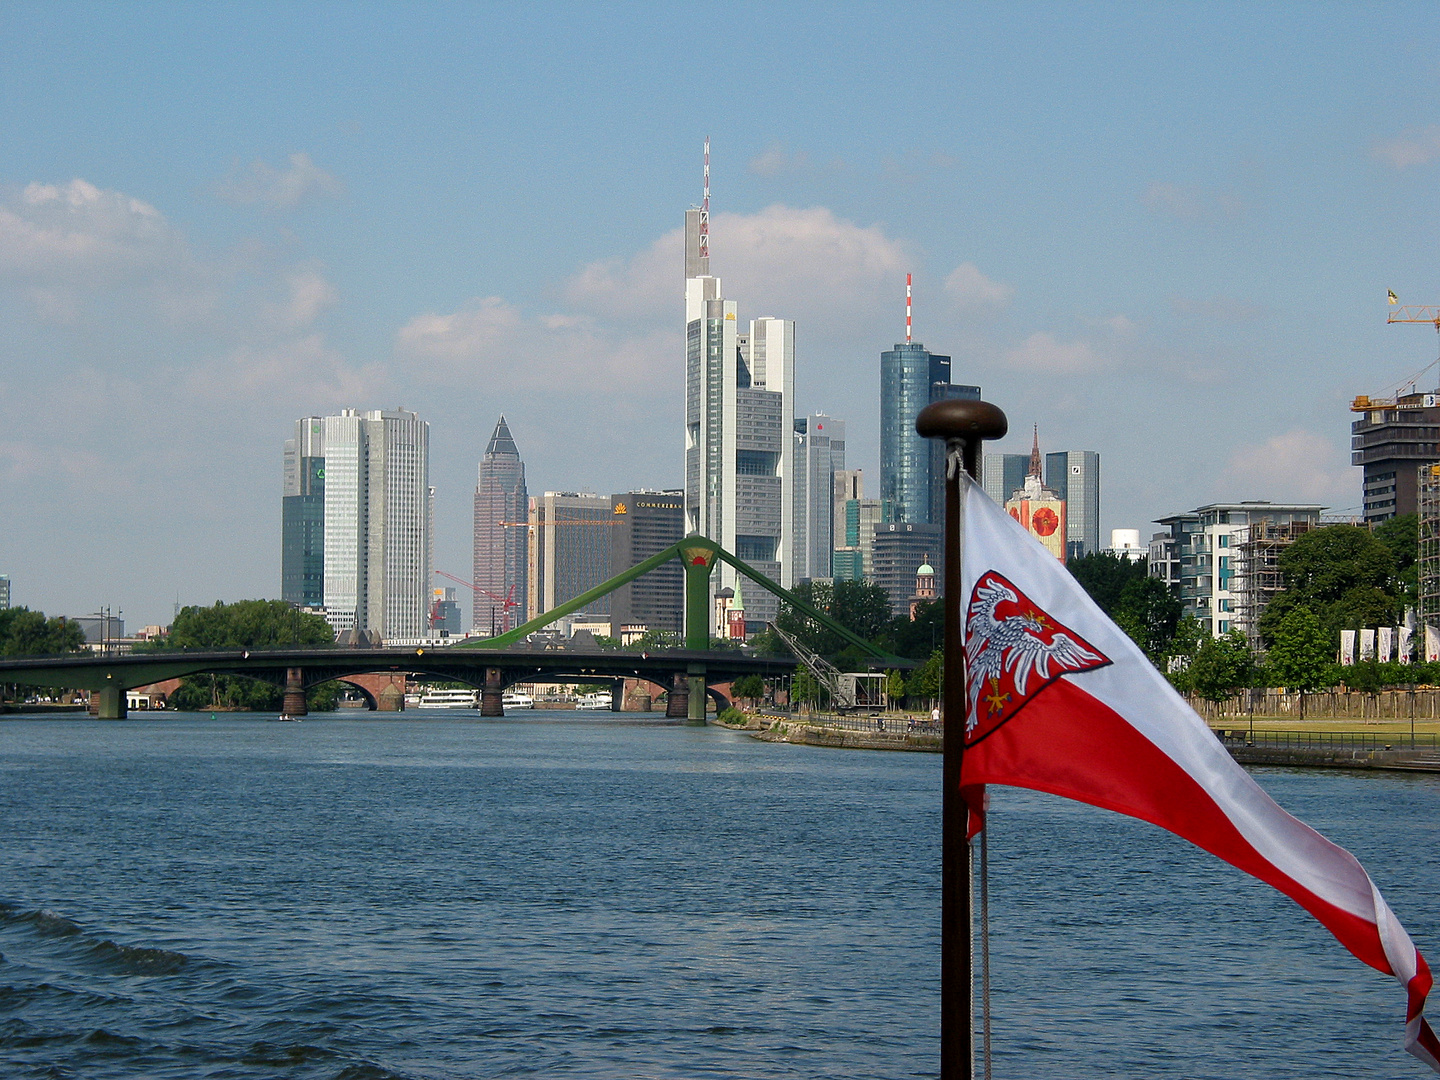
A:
{"points": [[559, 896]]}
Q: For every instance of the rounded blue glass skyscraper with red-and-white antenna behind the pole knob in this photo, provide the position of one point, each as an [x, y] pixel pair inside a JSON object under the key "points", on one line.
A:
{"points": [[912, 469]]}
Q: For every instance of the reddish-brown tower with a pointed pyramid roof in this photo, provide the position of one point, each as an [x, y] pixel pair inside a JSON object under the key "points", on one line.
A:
{"points": [[502, 536]]}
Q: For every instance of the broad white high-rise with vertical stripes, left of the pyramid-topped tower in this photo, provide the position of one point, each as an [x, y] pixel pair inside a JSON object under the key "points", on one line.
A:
{"points": [[378, 523]]}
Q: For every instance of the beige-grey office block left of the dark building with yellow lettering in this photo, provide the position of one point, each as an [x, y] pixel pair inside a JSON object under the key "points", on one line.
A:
{"points": [[570, 551]]}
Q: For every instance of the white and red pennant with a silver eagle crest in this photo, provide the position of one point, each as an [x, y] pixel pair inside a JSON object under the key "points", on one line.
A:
{"points": [[1063, 702]]}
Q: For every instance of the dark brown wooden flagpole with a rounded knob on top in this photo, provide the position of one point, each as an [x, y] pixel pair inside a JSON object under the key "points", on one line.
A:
{"points": [[964, 426]]}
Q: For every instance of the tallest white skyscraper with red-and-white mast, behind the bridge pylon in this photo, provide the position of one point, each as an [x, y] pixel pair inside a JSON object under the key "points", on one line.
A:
{"points": [[739, 428]]}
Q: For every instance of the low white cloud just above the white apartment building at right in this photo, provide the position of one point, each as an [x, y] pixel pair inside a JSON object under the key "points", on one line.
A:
{"points": [[1297, 466]]}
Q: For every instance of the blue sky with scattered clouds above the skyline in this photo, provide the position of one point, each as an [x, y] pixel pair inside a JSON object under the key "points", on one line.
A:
{"points": [[1160, 233]]}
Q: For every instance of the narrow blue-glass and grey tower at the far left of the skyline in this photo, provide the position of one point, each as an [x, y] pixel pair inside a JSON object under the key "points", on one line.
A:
{"points": [[303, 516]]}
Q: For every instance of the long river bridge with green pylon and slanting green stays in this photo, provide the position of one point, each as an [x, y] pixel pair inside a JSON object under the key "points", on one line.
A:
{"points": [[492, 665]]}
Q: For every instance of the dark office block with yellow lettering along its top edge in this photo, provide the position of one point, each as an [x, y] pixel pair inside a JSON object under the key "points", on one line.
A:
{"points": [[647, 523]]}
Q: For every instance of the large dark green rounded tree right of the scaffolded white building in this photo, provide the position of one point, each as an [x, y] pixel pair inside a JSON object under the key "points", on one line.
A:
{"points": [[1343, 574]]}
